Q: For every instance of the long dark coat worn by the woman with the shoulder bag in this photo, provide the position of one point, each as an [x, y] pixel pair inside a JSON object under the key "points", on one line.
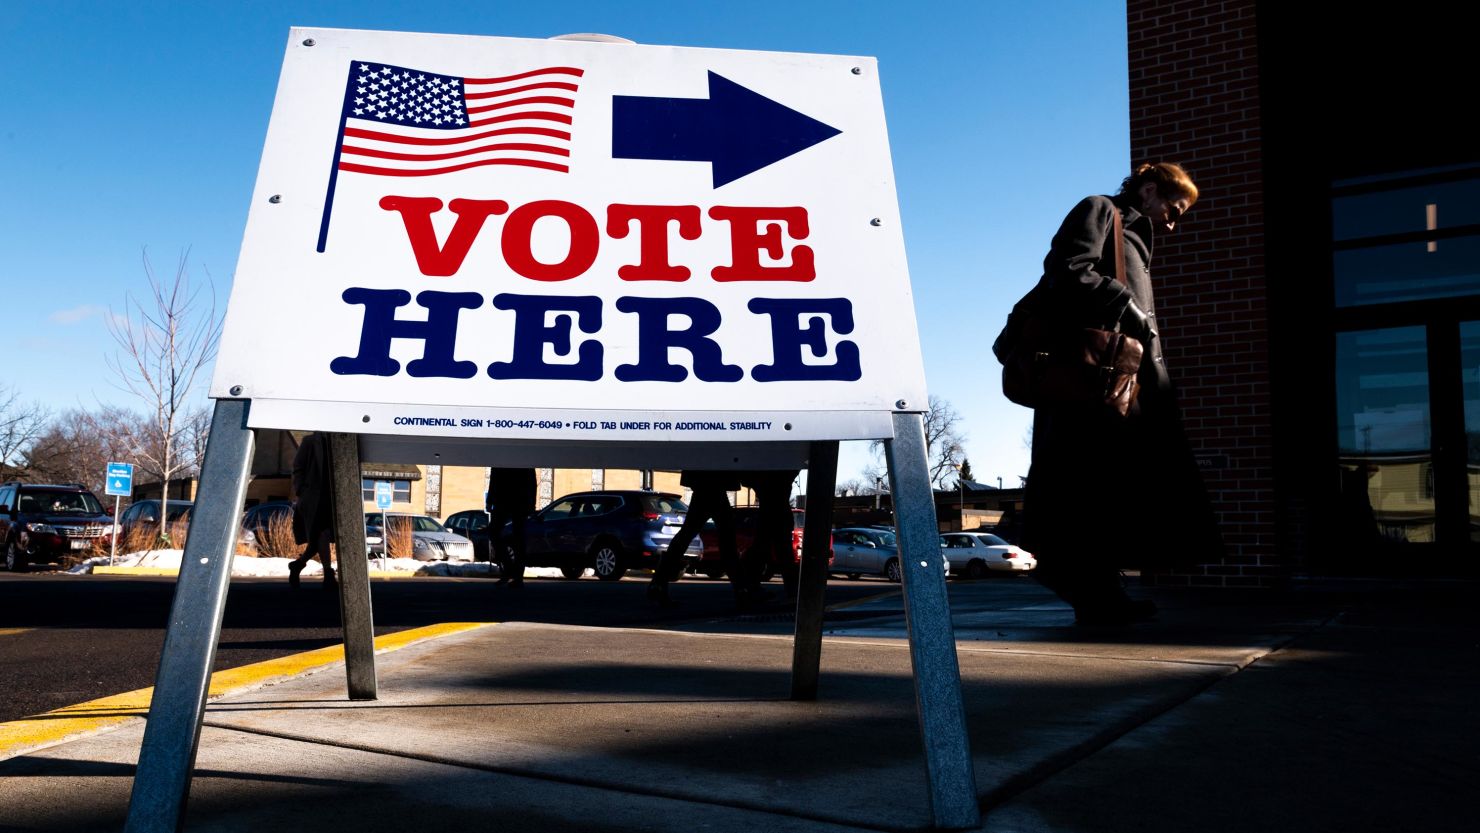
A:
{"points": [[1102, 486]]}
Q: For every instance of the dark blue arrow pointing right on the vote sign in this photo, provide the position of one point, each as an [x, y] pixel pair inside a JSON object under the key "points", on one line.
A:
{"points": [[736, 129]]}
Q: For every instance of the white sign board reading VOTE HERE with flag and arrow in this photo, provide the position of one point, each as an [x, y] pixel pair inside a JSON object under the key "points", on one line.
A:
{"points": [[477, 237]]}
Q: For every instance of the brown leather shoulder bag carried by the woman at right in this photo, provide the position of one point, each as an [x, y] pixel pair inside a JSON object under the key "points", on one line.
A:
{"points": [[1046, 365]]}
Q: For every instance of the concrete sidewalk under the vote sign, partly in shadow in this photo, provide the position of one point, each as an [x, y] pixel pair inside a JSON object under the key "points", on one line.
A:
{"points": [[1334, 708]]}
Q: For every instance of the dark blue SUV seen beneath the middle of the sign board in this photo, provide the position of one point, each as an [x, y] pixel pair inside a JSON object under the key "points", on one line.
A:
{"points": [[609, 532]]}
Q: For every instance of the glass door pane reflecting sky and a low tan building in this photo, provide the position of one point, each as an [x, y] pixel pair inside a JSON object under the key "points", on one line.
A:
{"points": [[1383, 422]]}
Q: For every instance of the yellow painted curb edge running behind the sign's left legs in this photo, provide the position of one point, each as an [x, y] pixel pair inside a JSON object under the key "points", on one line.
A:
{"points": [[82, 720]]}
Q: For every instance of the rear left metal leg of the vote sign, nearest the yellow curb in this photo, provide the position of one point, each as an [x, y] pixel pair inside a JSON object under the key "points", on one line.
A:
{"points": [[354, 564]]}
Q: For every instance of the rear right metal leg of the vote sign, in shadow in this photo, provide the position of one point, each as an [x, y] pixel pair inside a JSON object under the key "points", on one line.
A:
{"points": [[812, 582]]}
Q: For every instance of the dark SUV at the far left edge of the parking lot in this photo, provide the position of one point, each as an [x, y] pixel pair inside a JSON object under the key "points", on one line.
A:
{"points": [[44, 522]]}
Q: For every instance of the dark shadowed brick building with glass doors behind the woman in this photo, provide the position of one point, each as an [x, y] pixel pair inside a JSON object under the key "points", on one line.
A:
{"points": [[1322, 303]]}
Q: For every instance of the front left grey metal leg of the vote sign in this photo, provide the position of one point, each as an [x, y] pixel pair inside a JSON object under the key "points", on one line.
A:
{"points": [[168, 755]]}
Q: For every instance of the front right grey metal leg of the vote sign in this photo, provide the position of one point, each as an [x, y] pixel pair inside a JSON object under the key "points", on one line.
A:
{"points": [[933, 641]]}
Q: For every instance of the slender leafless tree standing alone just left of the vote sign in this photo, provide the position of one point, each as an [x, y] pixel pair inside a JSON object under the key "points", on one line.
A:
{"points": [[165, 343]]}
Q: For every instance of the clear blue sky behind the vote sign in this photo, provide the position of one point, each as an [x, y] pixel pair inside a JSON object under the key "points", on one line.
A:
{"points": [[140, 125]]}
